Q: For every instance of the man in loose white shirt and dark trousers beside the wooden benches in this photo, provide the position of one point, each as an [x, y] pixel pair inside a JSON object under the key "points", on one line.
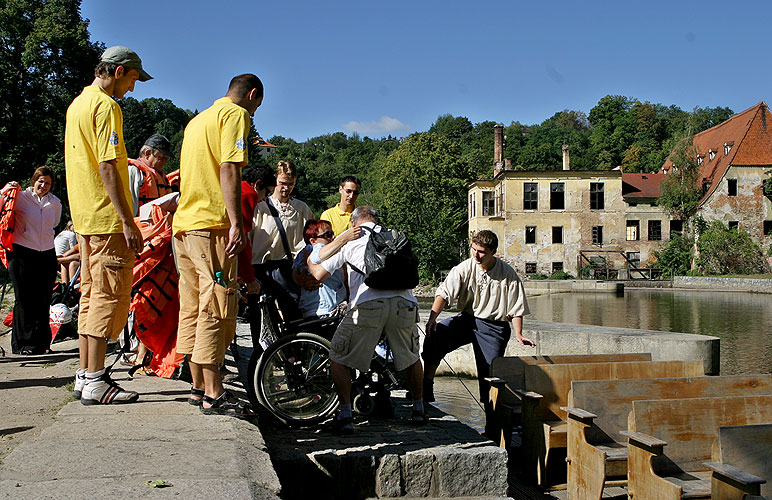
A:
{"points": [[490, 296]]}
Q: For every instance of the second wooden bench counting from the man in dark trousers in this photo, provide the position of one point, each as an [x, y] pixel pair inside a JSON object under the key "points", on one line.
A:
{"points": [[546, 391]]}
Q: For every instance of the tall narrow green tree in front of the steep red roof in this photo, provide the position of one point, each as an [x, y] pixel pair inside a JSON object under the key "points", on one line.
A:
{"points": [[680, 192]]}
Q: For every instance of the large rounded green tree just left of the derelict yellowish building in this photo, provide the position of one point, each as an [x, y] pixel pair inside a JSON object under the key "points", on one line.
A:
{"points": [[425, 196]]}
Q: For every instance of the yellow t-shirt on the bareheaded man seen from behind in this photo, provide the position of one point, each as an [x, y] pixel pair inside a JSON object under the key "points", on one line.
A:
{"points": [[215, 136]]}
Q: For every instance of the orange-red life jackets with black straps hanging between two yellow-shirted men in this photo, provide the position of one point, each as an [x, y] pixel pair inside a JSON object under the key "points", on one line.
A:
{"points": [[156, 302]]}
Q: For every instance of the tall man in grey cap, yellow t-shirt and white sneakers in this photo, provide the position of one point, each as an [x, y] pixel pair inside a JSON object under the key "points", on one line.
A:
{"points": [[97, 170]]}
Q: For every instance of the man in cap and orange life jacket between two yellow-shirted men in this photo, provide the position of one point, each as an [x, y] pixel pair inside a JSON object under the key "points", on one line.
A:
{"points": [[147, 180]]}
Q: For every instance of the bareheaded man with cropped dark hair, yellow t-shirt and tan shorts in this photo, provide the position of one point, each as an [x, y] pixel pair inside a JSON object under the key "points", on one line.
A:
{"points": [[208, 235]]}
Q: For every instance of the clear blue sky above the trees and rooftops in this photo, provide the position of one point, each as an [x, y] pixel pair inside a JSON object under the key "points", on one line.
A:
{"points": [[381, 68]]}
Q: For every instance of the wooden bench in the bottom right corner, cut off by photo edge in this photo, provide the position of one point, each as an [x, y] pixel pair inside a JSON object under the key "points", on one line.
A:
{"points": [[741, 462]]}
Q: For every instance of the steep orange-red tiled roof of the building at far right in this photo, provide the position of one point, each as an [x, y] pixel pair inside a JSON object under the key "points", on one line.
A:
{"points": [[749, 135]]}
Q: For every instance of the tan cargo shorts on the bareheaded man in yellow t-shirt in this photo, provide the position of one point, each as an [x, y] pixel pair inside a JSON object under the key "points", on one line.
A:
{"points": [[207, 310]]}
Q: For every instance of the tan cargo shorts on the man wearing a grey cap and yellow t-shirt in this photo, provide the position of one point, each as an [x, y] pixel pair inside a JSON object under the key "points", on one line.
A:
{"points": [[106, 273]]}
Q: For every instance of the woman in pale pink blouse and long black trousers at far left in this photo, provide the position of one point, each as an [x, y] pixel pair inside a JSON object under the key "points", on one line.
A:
{"points": [[32, 264]]}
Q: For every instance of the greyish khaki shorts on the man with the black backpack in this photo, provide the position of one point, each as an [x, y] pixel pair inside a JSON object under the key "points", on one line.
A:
{"points": [[357, 335]]}
